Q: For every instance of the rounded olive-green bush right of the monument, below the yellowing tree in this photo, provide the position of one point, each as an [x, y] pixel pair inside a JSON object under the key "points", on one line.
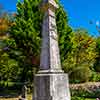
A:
{"points": [[80, 74]]}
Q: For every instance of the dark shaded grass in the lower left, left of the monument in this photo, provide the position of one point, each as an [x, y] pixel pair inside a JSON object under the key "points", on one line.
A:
{"points": [[12, 89]]}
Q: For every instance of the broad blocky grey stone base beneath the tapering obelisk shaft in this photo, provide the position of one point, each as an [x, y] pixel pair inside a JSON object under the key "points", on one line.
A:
{"points": [[53, 86]]}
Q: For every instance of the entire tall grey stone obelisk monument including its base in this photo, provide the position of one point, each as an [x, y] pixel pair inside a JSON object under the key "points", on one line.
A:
{"points": [[51, 83]]}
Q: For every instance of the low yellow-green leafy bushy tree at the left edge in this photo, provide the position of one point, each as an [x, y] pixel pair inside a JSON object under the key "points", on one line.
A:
{"points": [[8, 68]]}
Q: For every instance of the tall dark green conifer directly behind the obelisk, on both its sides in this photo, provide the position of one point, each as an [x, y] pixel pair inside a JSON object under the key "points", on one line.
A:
{"points": [[26, 32]]}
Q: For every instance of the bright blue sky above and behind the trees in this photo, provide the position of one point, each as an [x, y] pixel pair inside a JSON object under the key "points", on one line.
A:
{"points": [[80, 12]]}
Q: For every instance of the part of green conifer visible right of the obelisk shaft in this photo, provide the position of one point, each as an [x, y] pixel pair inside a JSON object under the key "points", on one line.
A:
{"points": [[65, 33]]}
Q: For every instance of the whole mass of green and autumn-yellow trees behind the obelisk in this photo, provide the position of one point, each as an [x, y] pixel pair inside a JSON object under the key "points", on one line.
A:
{"points": [[20, 50]]}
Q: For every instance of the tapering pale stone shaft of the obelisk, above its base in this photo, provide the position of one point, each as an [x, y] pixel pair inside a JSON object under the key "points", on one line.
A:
{"points": [[50, 59]]}
